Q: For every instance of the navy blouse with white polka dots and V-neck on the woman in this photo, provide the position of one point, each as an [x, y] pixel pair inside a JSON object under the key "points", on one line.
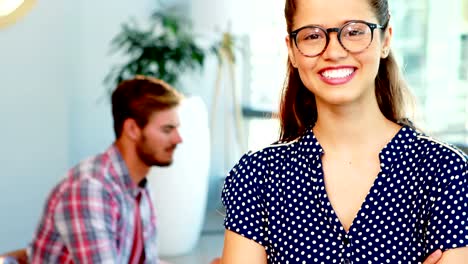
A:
{"points": [[417, 204]]}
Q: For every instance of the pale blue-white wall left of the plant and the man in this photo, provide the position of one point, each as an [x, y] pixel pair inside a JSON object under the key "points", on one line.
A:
{"points": [[52, 64]]}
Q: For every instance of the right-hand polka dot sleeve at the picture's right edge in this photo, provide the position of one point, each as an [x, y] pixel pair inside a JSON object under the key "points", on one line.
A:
{"points": [[448, 223]]}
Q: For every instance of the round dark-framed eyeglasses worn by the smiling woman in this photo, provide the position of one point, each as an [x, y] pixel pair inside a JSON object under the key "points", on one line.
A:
{"points": [[354, 36]]}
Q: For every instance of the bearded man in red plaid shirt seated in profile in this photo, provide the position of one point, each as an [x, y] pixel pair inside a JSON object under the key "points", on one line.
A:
{"points": [[102, 212]]}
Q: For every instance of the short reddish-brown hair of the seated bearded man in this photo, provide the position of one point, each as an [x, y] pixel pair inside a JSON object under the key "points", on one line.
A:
{"points": [[139, 98]]}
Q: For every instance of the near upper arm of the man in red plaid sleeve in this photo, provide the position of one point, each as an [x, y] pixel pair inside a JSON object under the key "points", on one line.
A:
{"points": [[85, 218]]}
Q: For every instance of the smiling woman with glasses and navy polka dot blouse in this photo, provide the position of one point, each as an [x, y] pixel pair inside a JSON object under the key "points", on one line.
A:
{"points": [[351, 180]]}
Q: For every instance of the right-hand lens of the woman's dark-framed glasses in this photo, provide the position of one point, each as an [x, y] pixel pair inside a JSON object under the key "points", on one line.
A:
{"points": [[356, 36]]}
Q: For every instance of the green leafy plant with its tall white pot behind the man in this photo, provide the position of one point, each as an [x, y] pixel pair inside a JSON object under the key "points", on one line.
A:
{"points": [[166, 49]]}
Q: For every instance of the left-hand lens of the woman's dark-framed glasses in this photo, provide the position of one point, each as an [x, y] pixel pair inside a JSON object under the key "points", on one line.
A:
{"points": [[311, 41]]}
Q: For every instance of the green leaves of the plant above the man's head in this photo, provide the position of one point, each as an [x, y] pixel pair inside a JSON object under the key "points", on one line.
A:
{"points": [[165, 50]]}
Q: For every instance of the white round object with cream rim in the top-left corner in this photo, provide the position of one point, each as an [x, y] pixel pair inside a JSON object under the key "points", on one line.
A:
{"points": [[12, 10]]}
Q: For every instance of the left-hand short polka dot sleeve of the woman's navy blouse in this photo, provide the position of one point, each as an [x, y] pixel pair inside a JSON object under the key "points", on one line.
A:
{"points": [[242, 198]]}
